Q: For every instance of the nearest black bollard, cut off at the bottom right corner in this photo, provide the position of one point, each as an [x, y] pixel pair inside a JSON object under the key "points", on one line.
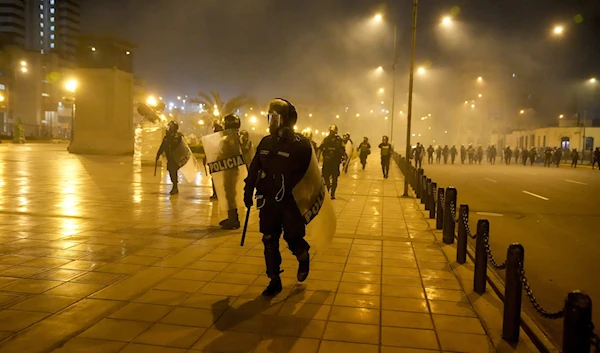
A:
{"points": [[577, 323]]}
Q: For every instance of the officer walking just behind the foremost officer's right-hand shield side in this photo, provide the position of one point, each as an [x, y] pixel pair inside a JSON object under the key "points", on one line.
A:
{"points": [[334, 153]]}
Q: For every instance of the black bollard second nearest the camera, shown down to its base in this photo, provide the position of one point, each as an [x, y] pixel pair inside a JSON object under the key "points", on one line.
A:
{"points": [[513, 293]]}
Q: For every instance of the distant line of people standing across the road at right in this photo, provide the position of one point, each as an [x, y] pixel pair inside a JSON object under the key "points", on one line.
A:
{"points": [[474, 155]]}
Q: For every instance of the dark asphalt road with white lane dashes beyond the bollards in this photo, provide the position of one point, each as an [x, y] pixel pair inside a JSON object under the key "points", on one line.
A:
{"points": [[553, 212]]}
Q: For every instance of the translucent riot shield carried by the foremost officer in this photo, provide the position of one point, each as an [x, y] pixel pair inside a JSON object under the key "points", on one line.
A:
{"points": [[314, 204]]}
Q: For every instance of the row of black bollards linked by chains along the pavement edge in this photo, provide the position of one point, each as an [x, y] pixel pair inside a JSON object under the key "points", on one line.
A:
{"points": [[578, 328]]}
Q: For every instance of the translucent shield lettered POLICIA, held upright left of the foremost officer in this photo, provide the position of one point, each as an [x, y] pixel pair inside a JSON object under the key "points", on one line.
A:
{"points": [[227, 168]]}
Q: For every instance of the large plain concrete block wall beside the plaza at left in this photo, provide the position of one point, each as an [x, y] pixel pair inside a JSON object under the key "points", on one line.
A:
{"points": [[103, 114]]}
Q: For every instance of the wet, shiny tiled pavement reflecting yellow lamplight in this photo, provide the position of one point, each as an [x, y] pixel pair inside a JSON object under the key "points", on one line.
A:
{"points": [[97, 258]]}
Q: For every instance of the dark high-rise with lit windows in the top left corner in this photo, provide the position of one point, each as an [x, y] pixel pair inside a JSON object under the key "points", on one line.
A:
{"points": [[41, 25]]}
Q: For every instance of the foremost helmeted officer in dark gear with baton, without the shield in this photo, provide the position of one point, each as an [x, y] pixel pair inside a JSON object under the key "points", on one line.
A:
{"points": [[280, 163]]}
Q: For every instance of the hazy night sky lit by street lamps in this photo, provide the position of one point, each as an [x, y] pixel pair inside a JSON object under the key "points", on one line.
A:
{"points": [[324, 51]]}
